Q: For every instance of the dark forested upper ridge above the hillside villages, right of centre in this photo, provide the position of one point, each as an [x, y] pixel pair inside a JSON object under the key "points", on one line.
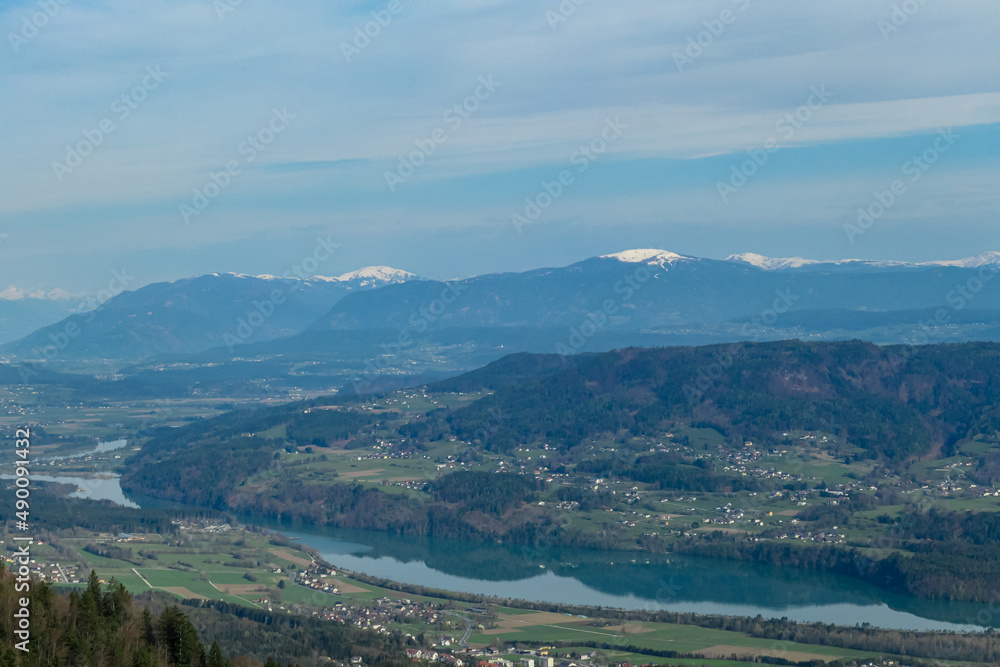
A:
{"points": [[894, 402]]}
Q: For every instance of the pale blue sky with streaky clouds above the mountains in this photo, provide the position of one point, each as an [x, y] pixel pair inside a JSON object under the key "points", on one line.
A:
{"points": [[173, 138]]}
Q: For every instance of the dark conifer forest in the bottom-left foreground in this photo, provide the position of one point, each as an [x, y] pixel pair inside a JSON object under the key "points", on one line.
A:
{"points": [[102, 626]]}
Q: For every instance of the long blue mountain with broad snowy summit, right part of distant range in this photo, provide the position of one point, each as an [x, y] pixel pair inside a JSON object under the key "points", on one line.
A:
{"points": [[656, 290]]}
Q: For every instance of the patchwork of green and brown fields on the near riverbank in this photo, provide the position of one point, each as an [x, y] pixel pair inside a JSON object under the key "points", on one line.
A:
{"points": [[240, 567]]}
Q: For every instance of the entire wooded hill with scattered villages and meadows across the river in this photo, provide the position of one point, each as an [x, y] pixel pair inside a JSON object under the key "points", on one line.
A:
{"points": [[518, 464]]}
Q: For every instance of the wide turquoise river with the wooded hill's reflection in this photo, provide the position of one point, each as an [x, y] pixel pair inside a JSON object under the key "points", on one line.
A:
{"points": [[629, 580]]}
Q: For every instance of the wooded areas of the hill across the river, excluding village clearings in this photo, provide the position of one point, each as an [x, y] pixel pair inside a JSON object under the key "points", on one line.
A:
{"points": [[894, 404]]}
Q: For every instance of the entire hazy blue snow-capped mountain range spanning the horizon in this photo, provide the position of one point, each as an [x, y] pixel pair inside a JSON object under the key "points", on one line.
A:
{"points": [[631, 297]]}
